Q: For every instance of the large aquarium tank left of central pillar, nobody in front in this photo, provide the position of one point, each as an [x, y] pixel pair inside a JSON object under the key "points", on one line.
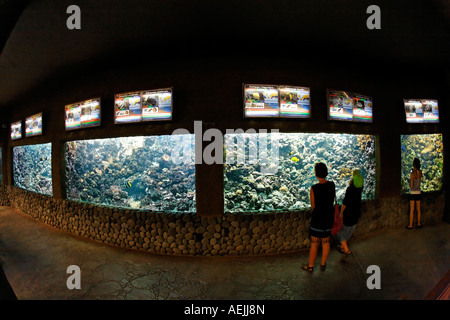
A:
{"points": [[142, 172]]}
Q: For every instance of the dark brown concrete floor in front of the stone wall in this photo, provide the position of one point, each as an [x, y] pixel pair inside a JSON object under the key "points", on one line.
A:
{"points": [[35, 258]]}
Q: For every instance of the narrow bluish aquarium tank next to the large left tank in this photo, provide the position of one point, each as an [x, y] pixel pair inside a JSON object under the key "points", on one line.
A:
{"points": [[32, 168]]}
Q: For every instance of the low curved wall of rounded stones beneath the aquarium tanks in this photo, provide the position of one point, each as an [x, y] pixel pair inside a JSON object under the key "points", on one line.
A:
{"points": [[186, 234]]}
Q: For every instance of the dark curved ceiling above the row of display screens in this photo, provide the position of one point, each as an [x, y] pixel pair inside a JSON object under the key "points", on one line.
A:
{"points": [[37, 48]]}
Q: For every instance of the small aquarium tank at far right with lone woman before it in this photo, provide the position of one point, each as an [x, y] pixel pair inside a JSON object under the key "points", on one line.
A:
{"points": [[429, 149]]}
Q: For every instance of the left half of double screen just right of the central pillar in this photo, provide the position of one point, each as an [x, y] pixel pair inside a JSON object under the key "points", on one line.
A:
{"points": [[261, 101]]}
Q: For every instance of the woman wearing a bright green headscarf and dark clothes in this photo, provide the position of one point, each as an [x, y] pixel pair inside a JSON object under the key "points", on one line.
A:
{"points": [[350, 210]]}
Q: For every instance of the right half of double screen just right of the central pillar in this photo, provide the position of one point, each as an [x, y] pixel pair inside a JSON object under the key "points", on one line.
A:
{"points": [[294, 102]]}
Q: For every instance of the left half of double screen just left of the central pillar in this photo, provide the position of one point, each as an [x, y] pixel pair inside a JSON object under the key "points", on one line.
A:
{"points": [[127, 107]]}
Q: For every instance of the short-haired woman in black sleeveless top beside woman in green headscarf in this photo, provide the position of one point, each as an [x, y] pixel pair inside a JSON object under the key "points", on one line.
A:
{"points": [[322, 197]]}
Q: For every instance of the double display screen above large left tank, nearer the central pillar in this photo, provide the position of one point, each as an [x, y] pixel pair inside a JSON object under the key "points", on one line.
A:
{"points": [[149, 105]]}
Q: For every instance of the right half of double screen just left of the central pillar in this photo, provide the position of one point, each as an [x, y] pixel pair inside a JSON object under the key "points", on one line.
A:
{"points": [[157, 105]]}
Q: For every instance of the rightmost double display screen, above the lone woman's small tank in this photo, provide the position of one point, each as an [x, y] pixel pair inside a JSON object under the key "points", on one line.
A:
{"points": [[421, 111]]}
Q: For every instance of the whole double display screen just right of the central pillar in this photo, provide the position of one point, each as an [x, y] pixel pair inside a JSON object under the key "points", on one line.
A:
{"points": [[273, 101]]}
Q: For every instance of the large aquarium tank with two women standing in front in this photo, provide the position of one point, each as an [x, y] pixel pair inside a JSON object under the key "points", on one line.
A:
{"points": [[266, 172]]}
